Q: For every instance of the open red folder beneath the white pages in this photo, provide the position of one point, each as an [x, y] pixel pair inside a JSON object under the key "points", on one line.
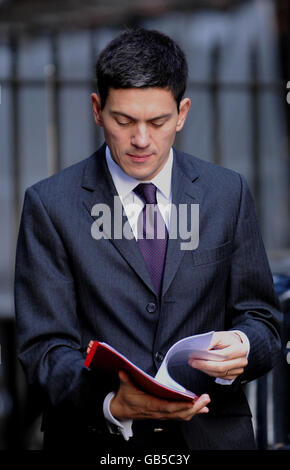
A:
{"points": [[103, 357]]}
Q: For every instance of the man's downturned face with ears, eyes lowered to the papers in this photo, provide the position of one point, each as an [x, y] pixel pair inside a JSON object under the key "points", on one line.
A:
{"points": [[140, 125]]}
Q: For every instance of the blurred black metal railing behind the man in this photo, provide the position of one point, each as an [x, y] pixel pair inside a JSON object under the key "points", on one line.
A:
{"points": [[52, 84]]}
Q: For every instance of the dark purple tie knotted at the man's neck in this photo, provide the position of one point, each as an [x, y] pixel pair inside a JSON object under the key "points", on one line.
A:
{"points": [[152, 233]]}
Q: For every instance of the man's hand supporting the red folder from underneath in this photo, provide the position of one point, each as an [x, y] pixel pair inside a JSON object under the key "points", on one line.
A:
{"points": [[131, 403]]}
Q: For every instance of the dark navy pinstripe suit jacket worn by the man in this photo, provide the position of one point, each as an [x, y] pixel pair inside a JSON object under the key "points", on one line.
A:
{"points": [[71, 288]]}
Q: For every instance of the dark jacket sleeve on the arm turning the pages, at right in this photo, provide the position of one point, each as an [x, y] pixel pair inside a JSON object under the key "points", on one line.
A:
{"points": [[252, 303]]}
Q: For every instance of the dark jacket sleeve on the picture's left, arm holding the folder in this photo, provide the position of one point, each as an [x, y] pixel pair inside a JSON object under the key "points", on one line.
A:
{"points": [[47, 319]]}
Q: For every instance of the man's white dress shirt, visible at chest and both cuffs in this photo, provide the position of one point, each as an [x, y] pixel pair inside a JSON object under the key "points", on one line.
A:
{"points": [[133, 205]]}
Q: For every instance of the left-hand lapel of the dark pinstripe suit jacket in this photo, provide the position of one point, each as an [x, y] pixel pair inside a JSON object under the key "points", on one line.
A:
{"points": [[100, 189]]}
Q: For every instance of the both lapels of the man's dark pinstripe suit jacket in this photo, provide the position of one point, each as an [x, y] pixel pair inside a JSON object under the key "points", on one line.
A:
{"points": [[100, 189]]}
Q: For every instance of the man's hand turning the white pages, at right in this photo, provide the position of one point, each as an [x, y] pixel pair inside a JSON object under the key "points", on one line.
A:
{"points": [[229, 344]]}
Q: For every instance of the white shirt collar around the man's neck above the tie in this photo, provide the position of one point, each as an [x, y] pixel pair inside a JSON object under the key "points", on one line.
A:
{"points": [[125, 183]]}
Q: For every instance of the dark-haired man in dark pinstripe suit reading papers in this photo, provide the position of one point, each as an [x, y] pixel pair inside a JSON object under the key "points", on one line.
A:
{"points": [[85, 272]]}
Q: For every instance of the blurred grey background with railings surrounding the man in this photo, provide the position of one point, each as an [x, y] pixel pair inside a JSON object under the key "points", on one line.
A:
{"points": [[238, 55]]}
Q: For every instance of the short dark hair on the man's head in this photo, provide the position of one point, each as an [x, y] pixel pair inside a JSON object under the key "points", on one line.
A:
{"points": [[140, 58]]}
